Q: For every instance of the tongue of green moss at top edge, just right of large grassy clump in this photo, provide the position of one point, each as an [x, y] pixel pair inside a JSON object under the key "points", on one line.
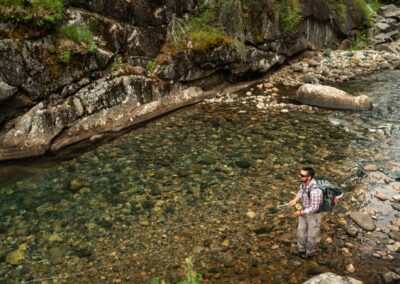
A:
{"points": [[289, 12]]}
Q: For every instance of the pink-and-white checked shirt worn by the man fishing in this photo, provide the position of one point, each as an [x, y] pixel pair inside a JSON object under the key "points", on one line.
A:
{"points": [[312, 204]]}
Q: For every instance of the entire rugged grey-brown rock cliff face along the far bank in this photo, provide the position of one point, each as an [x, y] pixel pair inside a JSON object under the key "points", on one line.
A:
{"points": [[55, 91]]}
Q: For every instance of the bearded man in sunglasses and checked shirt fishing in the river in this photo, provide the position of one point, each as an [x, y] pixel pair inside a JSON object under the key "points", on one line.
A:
{"points": [[309, 216]]}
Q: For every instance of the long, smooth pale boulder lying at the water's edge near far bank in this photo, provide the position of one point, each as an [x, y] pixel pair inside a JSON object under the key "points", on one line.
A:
{"points": [[329, 97]]}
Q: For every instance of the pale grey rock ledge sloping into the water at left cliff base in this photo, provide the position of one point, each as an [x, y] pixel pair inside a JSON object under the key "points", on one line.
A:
{"points": [[121, 99]]}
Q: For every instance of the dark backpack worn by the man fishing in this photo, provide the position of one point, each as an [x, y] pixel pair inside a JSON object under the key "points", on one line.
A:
{"points": [[330, 195]]}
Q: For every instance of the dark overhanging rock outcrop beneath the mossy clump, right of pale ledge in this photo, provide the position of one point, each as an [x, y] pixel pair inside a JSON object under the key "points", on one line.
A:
{"points": [[271, 46]]}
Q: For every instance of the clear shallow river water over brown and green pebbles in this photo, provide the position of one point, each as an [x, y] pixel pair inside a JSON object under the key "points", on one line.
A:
{"points": [[181, 186]]}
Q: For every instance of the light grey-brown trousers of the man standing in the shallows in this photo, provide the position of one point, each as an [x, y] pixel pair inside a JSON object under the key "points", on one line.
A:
{"points": [[307, 232]]}
